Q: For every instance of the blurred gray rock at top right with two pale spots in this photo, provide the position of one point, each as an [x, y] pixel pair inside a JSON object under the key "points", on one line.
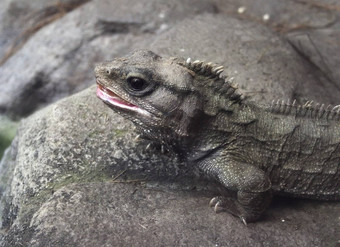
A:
{"points": [[282, 16]]}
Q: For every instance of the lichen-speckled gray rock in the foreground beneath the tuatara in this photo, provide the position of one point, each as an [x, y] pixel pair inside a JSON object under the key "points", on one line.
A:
{"points": [[76, 177]]}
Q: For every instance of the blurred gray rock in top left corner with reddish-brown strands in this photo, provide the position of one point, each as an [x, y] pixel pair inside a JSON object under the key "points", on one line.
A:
{"points": [[20, 19]]}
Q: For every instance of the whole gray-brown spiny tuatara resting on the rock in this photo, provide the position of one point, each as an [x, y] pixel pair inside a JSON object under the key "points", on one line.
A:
{"points": [[252, 150]]}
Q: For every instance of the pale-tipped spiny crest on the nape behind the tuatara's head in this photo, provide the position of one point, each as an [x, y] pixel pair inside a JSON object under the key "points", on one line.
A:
{"points": [[219, 83]]}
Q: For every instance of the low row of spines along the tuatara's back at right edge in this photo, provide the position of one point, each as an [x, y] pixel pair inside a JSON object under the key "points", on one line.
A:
{"points": [[309, 109]]}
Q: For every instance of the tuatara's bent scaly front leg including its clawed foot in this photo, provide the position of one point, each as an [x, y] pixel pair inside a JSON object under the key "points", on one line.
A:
{"points": [[251, 184]]}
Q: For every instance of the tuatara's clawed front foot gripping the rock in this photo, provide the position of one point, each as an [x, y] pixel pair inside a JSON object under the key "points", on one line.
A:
{"points": [[221, 204]]}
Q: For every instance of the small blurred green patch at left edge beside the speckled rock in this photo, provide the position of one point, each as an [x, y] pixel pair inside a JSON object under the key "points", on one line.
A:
{"points": [[7, 132]]}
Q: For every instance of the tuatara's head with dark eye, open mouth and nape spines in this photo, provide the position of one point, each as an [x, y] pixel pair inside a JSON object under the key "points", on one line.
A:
{"points": [[164, 97]]}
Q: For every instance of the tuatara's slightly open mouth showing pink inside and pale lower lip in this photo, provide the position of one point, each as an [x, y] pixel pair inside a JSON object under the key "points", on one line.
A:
{"points": [[111, 98]]}
